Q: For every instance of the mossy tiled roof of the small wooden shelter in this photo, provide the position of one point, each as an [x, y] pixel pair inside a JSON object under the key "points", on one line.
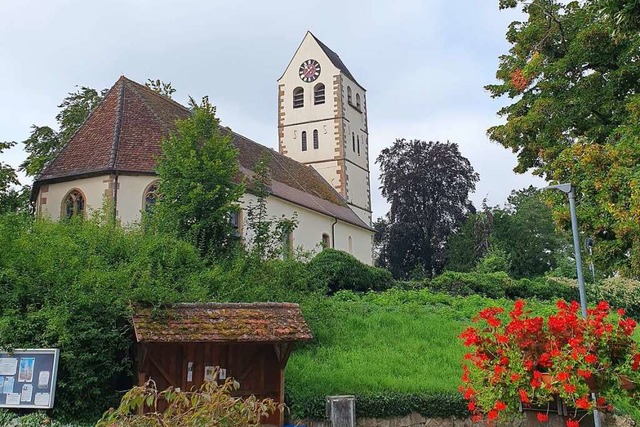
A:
{"points": [[215, 322]]}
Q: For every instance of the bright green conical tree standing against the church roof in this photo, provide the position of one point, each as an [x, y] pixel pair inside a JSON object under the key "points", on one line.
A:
{"points": [[197, 188]]}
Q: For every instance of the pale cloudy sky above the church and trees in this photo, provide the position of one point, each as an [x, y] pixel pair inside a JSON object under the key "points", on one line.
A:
{"points": [[424, 65]]}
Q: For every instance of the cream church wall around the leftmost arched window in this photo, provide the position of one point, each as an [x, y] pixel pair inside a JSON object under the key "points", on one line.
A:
{"points": [[50, 197]]}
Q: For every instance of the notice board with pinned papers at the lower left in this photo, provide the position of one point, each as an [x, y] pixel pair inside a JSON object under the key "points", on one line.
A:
{"points": [[28, 378]]}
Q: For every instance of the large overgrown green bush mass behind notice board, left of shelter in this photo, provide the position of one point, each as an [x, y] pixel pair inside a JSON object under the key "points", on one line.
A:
{"points": [[72, 286]]}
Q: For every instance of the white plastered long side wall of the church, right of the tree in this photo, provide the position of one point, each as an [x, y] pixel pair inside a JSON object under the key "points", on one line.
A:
{"points": [[312, 225]]}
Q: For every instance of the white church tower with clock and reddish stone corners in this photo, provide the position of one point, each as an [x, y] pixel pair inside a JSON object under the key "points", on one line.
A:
{"points": [[322, 122]]}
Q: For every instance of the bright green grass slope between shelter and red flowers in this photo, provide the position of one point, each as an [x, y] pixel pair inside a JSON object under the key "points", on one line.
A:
{"points": [[391, 342]]}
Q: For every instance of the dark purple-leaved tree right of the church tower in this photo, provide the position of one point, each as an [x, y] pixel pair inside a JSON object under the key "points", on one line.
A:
{"points": [[427, 185]]}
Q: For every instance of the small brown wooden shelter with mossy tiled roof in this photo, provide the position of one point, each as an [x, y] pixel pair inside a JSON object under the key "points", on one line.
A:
{"points": [[252, 342]]}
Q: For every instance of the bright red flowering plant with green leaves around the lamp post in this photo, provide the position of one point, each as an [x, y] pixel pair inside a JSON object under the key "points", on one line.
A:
{"points": [[517, 358]]}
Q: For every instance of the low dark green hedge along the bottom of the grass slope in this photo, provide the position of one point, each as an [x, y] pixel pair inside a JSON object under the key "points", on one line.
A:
{"points": [[440, 405]]}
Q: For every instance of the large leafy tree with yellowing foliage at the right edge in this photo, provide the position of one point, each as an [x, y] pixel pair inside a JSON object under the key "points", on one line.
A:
{"points": [[573, 73]]}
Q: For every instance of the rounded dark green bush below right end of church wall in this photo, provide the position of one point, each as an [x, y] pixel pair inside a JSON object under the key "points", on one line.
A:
{"points": [[337, 270]]}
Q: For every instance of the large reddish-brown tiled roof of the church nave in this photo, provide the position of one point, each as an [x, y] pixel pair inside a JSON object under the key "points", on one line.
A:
{"points": [[123, 134]]}
